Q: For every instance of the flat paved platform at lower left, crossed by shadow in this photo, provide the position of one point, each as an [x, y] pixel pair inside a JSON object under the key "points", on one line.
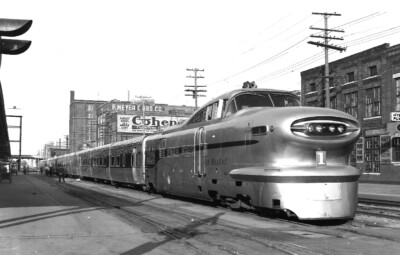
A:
{"points": [[38, 218]]}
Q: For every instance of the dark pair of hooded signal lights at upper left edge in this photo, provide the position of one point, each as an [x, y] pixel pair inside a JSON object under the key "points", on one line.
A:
{"points": [[11, 28]]}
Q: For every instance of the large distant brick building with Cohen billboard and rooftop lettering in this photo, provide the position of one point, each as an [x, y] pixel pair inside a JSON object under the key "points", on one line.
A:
{"points": [[93, 123]]}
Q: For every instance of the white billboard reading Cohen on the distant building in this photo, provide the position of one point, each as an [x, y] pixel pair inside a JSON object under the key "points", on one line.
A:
{"points": [[135, 124]]}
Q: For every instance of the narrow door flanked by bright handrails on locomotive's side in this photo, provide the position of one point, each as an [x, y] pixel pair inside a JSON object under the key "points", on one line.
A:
{"points": [[200, 154]]}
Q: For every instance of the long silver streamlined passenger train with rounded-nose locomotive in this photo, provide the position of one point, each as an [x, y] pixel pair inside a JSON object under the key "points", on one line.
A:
{"points": [[250, 147]]}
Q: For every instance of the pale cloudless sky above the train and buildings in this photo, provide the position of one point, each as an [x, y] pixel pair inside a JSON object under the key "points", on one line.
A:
{"points": [[107, 49]]}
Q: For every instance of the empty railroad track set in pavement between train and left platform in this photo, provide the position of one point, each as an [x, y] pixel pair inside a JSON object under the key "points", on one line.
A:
{"points": [[196, 232]]}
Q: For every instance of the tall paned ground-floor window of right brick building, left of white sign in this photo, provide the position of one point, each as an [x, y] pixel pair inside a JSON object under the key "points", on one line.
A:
{"points": [[372, 154]]}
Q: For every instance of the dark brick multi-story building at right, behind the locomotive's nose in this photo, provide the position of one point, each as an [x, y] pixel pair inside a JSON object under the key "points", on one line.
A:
{"points": [[367, 86]]}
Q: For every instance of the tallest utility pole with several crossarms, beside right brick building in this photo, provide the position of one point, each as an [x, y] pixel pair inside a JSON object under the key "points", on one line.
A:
{"points": [[327, 46]]}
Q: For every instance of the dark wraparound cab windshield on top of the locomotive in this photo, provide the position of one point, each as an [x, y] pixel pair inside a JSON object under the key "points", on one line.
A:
{"points": [[261, 99]]}
